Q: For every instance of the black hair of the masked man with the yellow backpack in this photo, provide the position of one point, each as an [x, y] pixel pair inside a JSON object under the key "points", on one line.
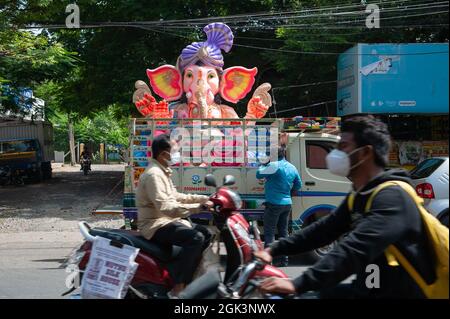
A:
{"points": [[367, 130]]}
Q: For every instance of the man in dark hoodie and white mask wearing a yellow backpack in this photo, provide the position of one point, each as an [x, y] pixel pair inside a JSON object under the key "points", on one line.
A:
{"points": [[385, 238]]}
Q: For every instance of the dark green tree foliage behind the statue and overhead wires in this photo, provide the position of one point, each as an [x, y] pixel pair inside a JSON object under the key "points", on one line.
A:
{"points": [[110, 59]]}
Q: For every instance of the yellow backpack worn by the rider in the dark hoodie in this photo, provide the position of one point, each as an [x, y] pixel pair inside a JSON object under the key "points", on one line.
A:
{"points": [[437, 236]]}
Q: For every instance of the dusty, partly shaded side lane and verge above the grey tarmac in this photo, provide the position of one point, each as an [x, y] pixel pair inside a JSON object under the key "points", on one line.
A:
{"points": [[59, 203]]}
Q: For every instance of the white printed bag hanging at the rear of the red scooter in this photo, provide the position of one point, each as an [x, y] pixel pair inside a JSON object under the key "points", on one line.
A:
{"points": [[109, 271]]}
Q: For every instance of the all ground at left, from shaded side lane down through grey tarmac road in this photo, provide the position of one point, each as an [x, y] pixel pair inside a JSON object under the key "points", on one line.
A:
{"points": [[38, 229]]}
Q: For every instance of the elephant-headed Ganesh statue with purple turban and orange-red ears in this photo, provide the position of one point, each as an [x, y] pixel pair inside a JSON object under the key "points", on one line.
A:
{"points": [[197, 85]]}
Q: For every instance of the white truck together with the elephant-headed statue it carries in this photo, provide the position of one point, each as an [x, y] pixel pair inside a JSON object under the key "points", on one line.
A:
{"points": [[208, 136]]}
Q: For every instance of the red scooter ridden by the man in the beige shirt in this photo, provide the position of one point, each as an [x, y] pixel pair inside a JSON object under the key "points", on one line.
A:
{"points": [[153, 276]]}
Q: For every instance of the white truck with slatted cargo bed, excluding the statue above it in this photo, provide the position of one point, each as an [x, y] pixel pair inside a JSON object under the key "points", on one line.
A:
{"points": [[202, 147]]}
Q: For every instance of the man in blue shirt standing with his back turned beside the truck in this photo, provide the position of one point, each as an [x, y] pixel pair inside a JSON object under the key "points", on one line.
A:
{"points": [[282, 179]]}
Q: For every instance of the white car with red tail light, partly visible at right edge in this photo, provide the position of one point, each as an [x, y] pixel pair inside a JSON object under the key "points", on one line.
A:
{"points": [[430, 178]]}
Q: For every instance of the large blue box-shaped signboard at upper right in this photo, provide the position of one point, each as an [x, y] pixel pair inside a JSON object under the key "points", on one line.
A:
{"points": [[394, 79]]}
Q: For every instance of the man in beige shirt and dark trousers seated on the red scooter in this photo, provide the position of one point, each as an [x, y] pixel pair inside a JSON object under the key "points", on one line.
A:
{"points": [[162, 213]]}
